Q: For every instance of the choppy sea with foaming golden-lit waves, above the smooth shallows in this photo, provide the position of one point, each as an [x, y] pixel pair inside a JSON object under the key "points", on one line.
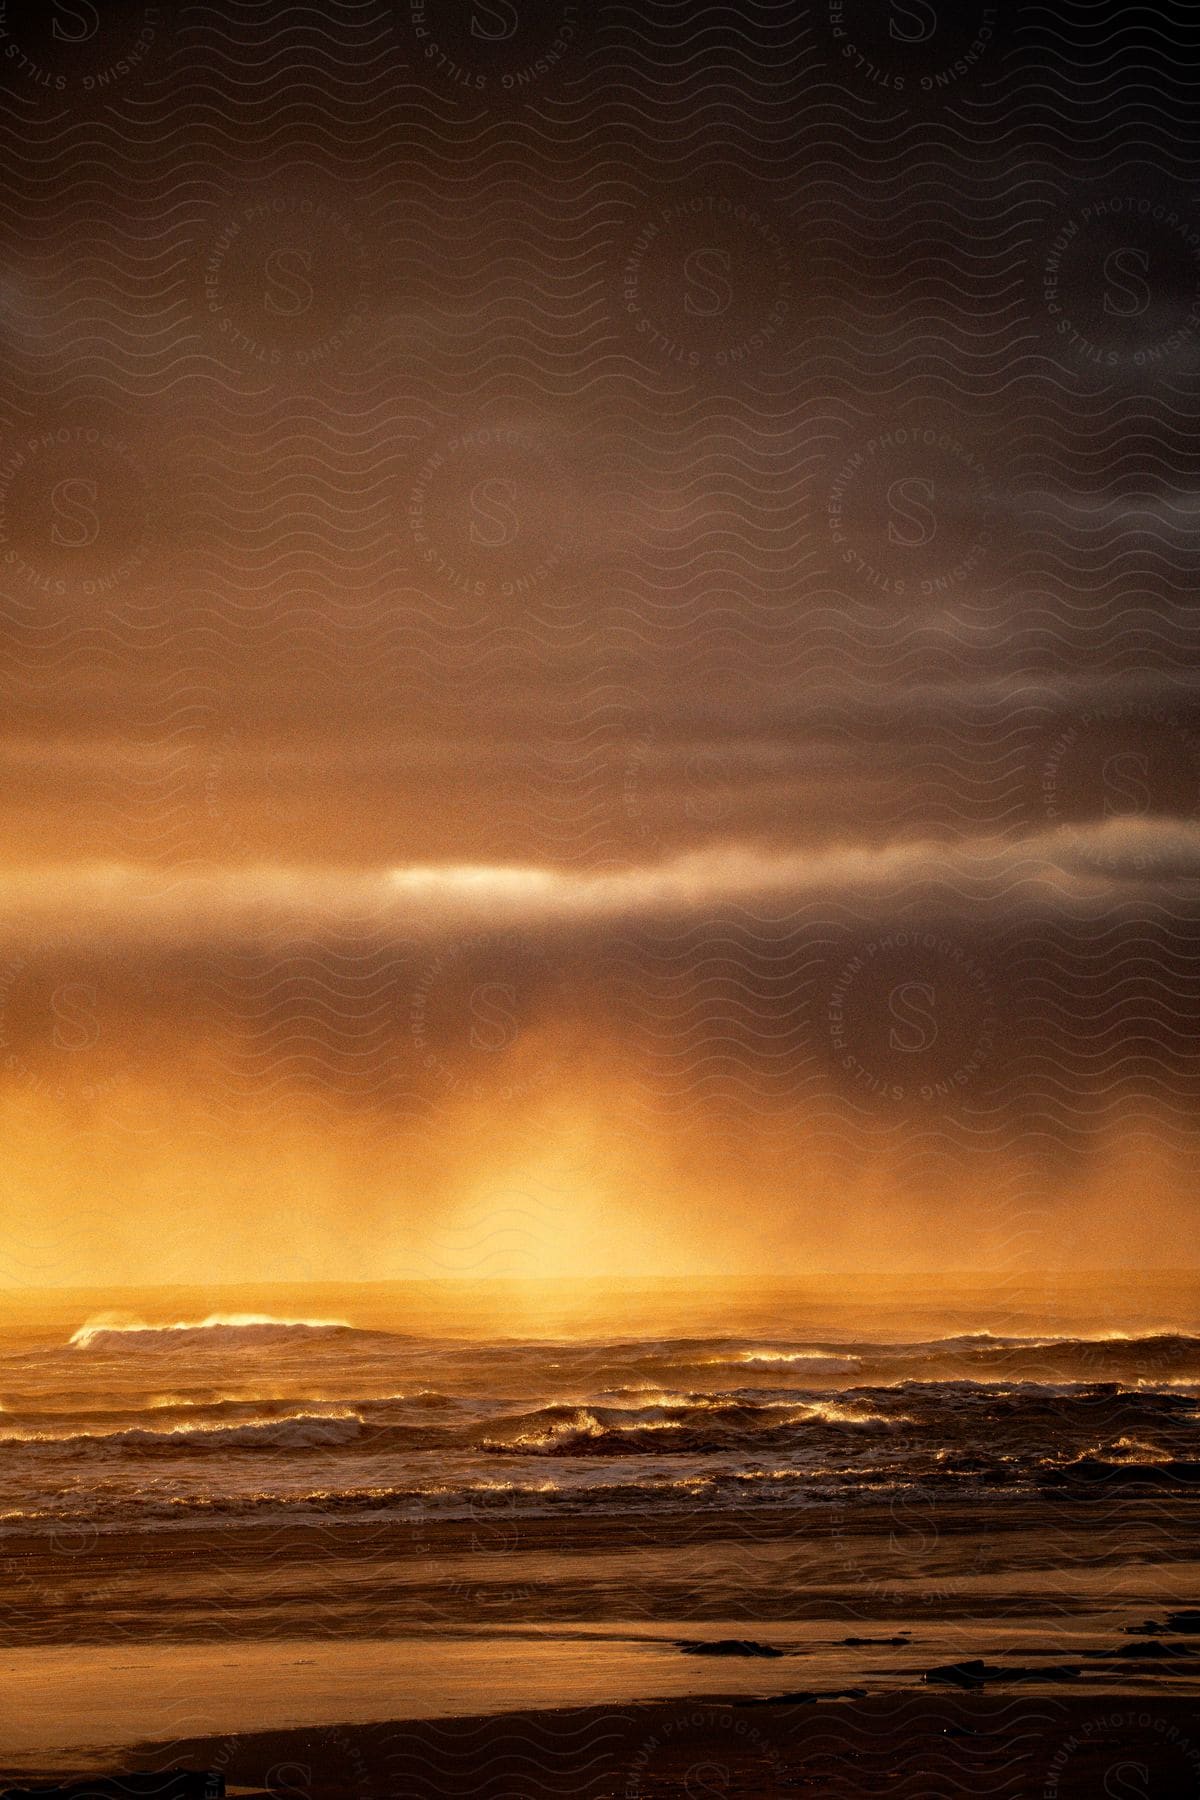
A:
{"points": [[159, 1416]]}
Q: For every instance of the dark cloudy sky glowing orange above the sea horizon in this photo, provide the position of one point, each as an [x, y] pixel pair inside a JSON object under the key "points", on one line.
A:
{"points": [[598, 629]]}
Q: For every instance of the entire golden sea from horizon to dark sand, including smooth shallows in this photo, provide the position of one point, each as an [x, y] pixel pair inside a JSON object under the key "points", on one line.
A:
{"points": [[422, 1500]]}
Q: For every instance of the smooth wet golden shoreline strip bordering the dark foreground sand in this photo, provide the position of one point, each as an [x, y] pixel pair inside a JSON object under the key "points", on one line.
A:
{"points": [[76, 1711]]}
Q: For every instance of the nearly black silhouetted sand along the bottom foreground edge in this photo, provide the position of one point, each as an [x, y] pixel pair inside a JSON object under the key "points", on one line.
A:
{"points": [[899, 1743]]}
